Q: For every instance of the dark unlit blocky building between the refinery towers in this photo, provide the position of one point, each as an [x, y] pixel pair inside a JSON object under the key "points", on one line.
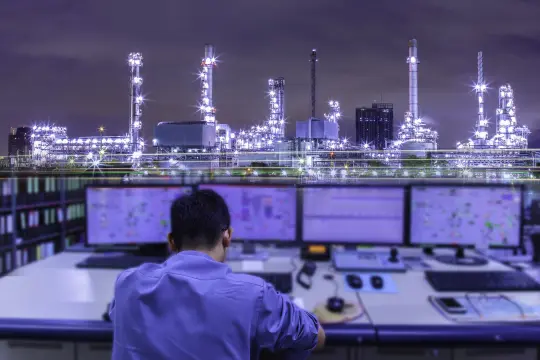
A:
{"points": [[375, 125]]}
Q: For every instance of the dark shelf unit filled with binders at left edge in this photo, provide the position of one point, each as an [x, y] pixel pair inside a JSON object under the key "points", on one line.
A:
{"points": [[39, 216]]}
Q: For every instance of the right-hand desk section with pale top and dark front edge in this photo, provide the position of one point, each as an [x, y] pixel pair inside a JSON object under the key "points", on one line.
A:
{"points": [[408, 318]]}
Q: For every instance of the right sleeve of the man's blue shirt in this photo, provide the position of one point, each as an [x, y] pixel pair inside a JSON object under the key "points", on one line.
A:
{"points": [[284, 326]]}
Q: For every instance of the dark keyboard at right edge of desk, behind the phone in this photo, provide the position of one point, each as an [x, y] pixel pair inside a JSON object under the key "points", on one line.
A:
{"points": [[481, 281]]}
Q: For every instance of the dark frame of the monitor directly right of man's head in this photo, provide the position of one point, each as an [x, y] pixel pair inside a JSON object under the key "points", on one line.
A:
{"points": [[281, 243]]}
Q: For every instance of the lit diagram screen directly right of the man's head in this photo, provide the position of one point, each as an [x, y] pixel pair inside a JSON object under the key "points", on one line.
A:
{"points": [[260, 213]]}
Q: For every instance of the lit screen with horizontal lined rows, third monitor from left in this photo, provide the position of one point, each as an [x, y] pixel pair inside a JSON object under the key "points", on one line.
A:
{"points": [[353, 215]]}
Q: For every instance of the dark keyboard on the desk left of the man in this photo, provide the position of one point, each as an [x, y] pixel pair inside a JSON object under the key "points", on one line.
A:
{"points": [[117, 261]]}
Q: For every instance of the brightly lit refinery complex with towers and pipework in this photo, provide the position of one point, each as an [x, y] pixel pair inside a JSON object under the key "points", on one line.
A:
{"points": [[315, 152]]}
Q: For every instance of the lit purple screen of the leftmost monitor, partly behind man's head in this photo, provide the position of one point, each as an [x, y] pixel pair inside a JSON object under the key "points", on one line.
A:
{"points": [[130, 215]]}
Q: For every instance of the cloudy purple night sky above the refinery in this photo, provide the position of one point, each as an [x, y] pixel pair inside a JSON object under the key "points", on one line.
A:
{"points": [[65, 60]]}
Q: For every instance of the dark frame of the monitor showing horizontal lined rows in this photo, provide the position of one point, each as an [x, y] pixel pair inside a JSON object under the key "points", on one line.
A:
{"points": [[404, 189]]}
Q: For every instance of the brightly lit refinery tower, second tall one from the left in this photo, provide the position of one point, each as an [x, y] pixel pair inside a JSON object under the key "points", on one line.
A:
{"points": [[206, 106]]}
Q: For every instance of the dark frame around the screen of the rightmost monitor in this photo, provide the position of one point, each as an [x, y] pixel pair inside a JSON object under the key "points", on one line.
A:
{"points": [[519, 187]]}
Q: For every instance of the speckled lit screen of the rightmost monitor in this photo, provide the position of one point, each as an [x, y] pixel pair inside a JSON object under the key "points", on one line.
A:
{"points": [[461, 215]]}
